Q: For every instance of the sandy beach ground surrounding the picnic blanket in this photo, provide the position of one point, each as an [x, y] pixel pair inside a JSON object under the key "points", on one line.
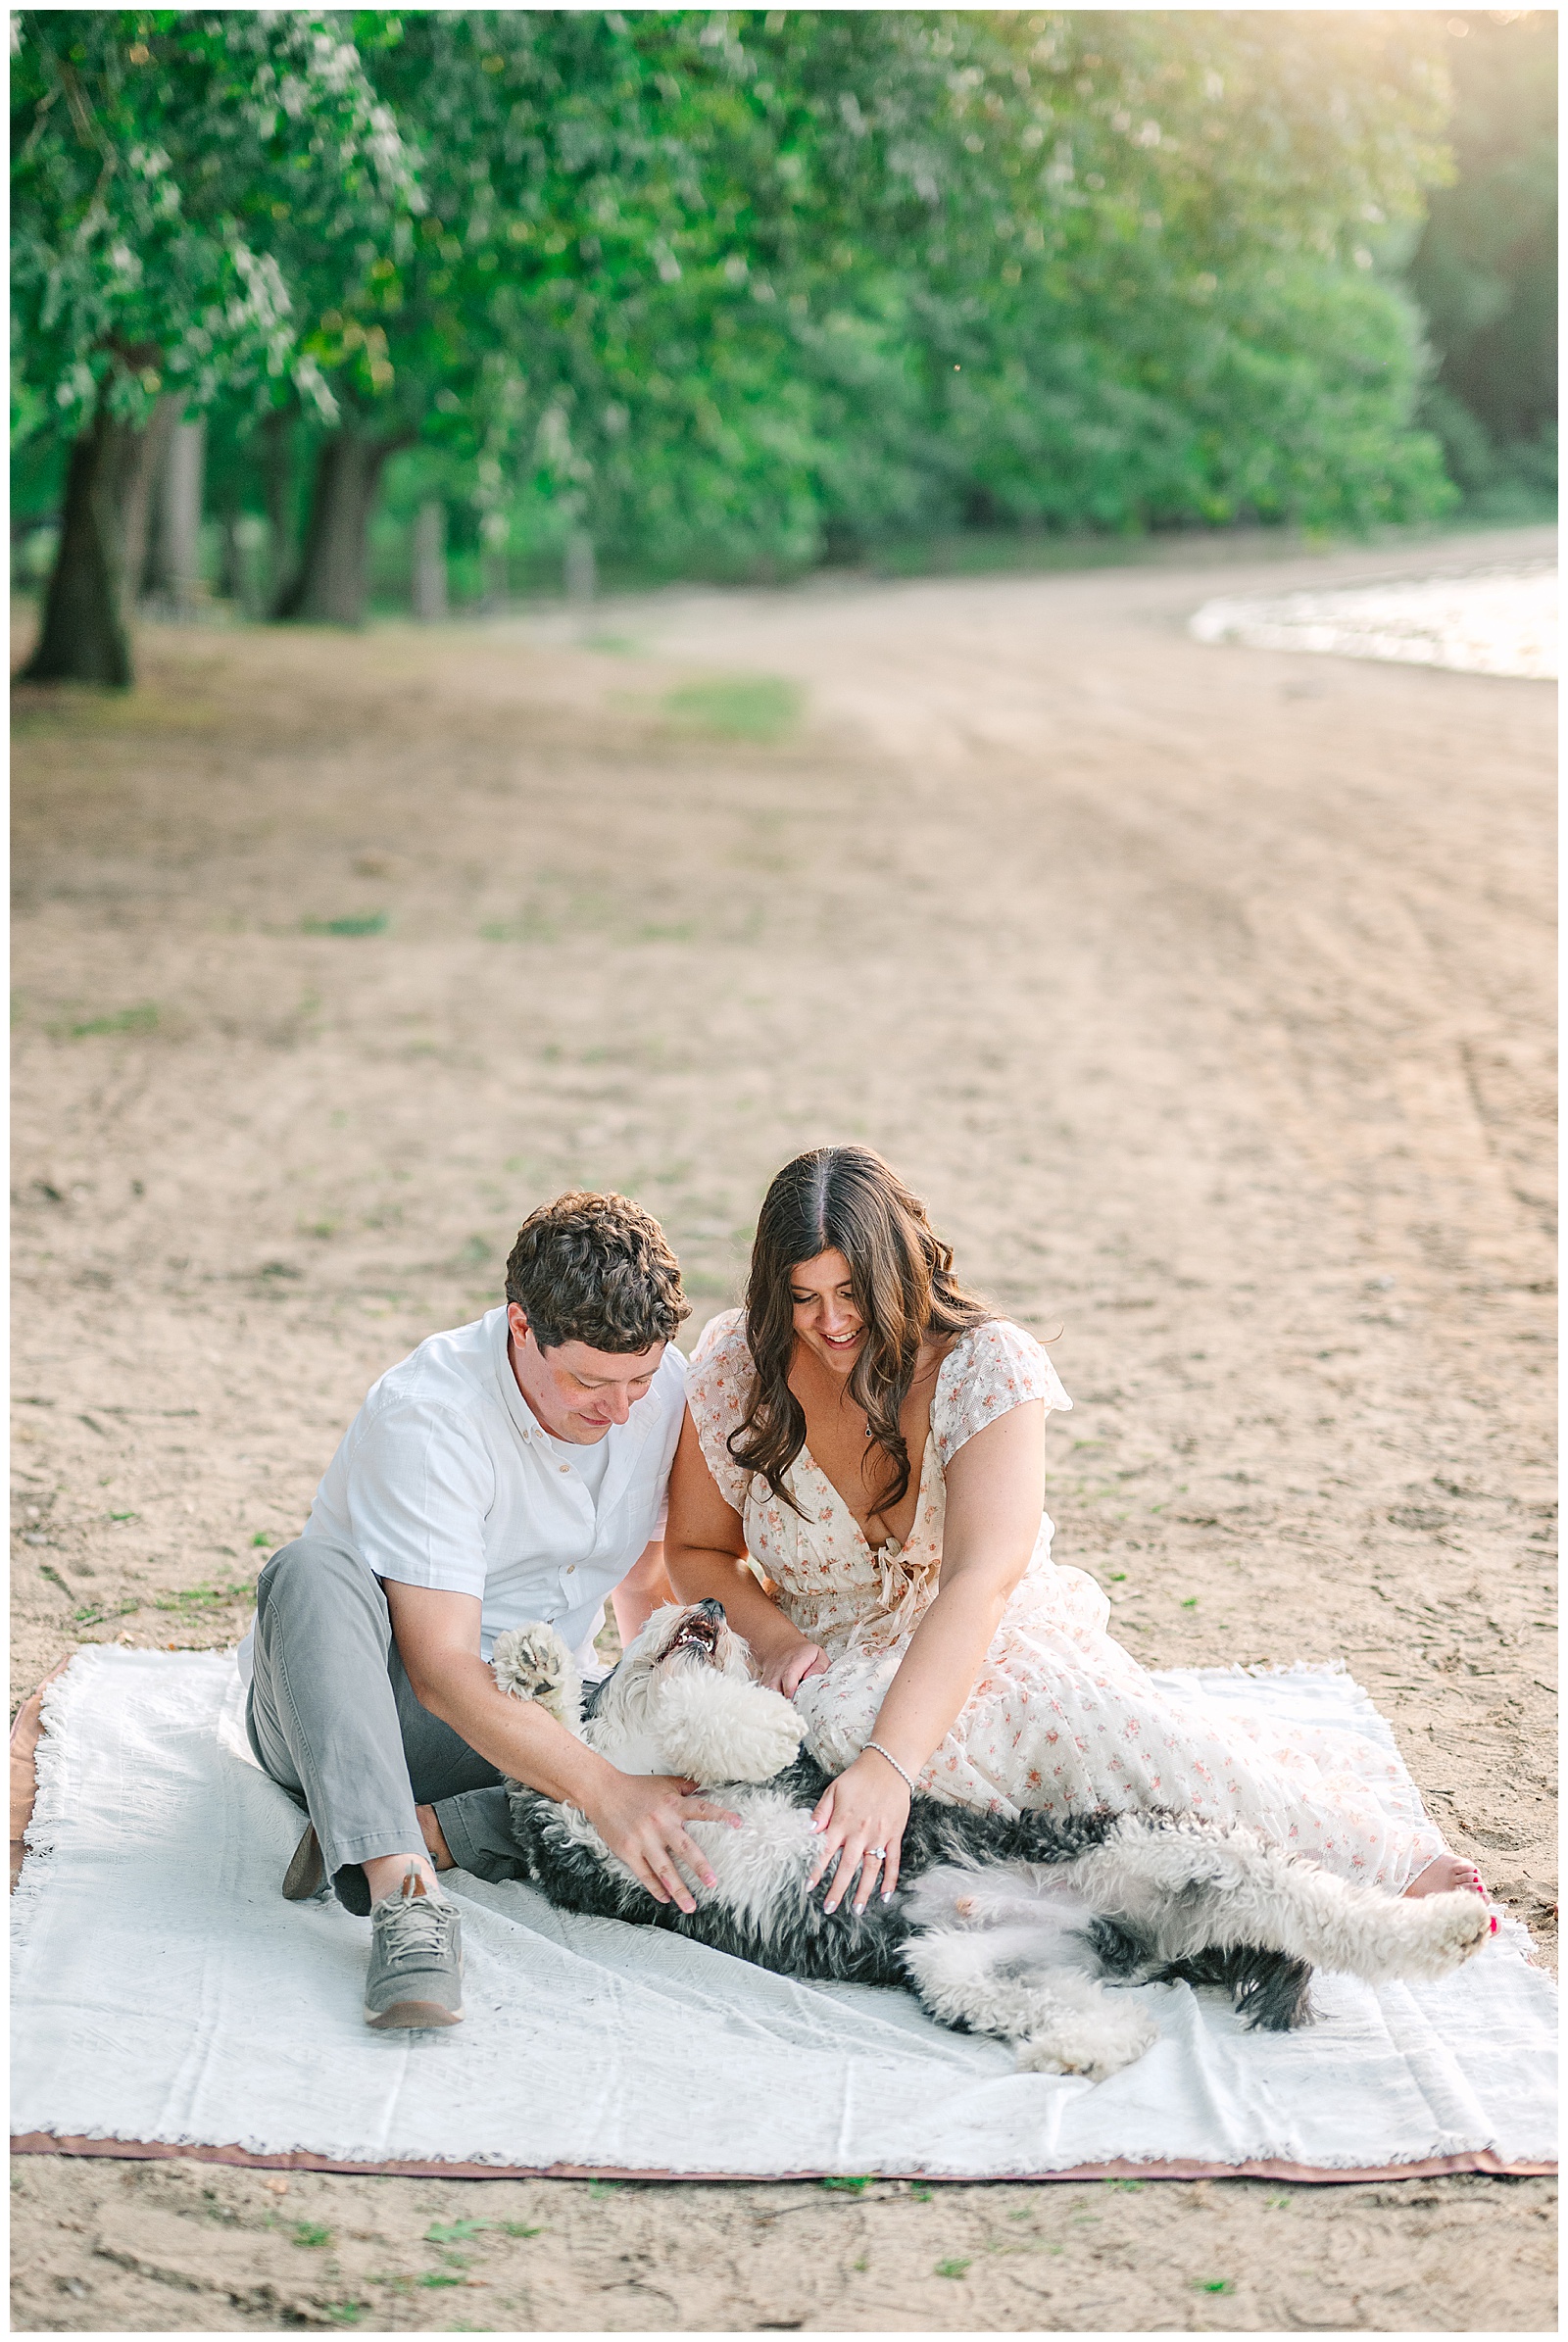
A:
{"points": [[1204, 992]]}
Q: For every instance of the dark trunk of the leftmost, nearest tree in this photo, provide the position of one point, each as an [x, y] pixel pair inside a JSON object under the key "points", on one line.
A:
{"points": [[104, 535]]}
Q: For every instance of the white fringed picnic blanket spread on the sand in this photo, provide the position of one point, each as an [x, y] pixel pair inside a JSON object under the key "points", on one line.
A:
{"points": [[163, 1992]]}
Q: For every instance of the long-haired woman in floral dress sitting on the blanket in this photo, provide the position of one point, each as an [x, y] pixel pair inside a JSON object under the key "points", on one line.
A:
{"points": [[861, 1481]]}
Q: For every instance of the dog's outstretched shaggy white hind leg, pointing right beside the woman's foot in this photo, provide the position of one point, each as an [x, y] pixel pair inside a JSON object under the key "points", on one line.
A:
{"points": [[1187, 1889]]}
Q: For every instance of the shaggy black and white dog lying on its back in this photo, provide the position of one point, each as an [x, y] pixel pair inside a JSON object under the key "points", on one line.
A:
{"points": [[1000, 1926]]}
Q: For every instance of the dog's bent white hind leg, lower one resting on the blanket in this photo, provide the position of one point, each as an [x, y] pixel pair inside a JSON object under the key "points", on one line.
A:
{"points": [[997, 1983]]}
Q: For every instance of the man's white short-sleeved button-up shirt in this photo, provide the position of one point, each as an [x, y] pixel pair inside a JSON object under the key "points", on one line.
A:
{"points": [[446, 1479]]}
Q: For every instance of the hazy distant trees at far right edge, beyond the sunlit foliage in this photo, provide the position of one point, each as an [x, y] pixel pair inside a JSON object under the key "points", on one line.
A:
{"points": [[1487, 263]]}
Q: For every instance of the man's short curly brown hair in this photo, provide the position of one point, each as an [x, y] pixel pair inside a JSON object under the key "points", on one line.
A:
{"points": [[594, 1268]]}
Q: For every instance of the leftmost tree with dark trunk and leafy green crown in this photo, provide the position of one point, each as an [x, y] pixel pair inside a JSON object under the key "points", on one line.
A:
{"points": [[154, 153]]}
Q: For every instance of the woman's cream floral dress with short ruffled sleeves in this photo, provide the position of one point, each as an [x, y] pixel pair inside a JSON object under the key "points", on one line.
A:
{"points": [[1061, 1720]]}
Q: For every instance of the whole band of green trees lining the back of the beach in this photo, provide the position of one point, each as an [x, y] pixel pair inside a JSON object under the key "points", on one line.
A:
{"points": [[318, 308]]}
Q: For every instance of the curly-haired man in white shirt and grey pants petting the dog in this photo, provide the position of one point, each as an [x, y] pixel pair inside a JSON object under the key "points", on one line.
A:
{"points": [[505, 1472]]}
